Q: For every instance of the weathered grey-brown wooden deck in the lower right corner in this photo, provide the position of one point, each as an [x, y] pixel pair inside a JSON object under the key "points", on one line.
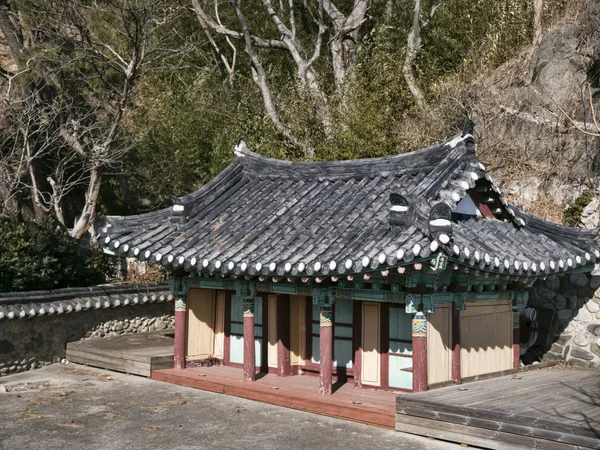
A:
{"points": [[549, 408]]}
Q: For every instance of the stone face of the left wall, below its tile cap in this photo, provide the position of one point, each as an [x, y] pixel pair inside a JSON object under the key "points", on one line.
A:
{"points": [[29, 343]]}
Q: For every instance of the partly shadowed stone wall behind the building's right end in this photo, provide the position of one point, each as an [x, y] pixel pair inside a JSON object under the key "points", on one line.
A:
{"points": [[568, 319]]}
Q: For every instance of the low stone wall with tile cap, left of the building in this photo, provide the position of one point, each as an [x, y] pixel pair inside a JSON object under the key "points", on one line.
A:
{"points": [[36, 326]]}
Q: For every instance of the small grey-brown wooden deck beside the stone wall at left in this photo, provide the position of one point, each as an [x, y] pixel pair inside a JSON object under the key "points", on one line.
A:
{"points": [[138, 354]]}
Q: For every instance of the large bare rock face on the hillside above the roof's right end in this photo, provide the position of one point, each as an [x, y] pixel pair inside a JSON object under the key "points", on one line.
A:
{"points": [[527, 120]]}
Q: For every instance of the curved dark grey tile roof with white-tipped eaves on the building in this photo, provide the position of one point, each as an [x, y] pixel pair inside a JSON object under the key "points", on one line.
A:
{"points": [[266, 216]]}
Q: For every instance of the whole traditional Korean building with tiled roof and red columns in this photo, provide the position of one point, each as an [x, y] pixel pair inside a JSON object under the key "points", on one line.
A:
{"points": [[402, 272]]}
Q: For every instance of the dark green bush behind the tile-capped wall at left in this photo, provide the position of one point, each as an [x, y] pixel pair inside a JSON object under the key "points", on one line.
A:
{"points": [[38, 256]]}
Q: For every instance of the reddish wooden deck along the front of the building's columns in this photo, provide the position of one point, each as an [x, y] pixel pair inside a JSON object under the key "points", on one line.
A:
{"points": [[298, 392]]}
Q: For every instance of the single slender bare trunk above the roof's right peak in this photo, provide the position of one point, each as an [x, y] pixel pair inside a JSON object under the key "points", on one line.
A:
{"points": [[413, 49]]}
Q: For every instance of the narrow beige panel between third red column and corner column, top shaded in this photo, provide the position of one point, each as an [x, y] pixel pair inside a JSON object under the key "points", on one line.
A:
{"points": [[371, 369]]}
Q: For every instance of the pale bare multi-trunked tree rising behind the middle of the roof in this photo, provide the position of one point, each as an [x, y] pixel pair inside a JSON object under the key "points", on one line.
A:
{"points": [[342, 47]]}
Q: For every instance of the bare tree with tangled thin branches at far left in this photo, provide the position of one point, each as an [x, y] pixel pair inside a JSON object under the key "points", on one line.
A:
{"points": [[65, 108]]}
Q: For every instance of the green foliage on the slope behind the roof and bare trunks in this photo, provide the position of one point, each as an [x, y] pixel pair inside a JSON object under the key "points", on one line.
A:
{"points": [[181, 125]]}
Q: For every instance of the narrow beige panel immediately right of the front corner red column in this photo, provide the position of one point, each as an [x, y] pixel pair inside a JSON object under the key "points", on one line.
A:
{"points": [[439, 344]]}
